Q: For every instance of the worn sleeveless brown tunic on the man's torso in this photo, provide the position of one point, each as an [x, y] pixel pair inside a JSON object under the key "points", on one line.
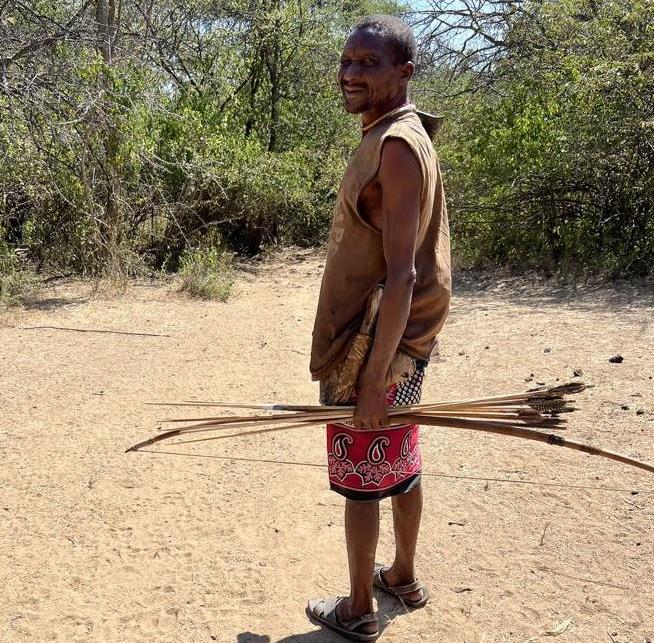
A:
{"points": [[355, 257]]}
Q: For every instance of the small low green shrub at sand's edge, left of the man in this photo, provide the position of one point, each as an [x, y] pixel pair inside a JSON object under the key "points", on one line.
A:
{"points": [[207, 274]]}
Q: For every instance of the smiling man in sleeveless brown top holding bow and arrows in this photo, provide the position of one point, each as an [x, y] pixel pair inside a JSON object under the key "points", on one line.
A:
{"points": [[389, 227]]}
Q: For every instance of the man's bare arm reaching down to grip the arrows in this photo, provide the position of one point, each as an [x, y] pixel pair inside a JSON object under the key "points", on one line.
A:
{"points": [[401, 182]]}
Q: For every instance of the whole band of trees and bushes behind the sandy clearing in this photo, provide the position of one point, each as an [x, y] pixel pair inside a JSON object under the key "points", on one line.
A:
{"points": [[168, 134]]}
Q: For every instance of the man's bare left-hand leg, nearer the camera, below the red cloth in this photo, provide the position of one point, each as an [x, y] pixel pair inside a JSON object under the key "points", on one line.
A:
{"points": [[361, 535]]}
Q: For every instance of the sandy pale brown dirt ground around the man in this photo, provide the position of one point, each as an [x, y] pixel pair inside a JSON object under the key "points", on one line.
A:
{"points": [[225, 541]]}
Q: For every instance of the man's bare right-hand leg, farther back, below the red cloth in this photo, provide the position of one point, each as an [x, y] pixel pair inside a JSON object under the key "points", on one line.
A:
{"points": [[407, 510]]}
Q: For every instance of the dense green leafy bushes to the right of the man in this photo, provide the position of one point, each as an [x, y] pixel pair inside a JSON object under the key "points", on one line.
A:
{"points": [[553, 165]]}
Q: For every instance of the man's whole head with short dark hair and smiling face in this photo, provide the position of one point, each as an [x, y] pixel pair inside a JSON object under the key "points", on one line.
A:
{"points": [[377, 63]]}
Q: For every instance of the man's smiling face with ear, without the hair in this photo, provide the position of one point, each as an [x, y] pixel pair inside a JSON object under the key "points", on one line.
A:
{"points": [[369, 75]]}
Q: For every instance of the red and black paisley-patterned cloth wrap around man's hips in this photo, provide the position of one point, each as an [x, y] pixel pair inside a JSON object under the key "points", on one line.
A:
{"points": [[372, 465]]}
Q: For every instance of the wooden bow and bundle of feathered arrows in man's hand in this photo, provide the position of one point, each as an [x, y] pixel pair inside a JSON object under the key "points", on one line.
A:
{"points": [[531, 415]]}
